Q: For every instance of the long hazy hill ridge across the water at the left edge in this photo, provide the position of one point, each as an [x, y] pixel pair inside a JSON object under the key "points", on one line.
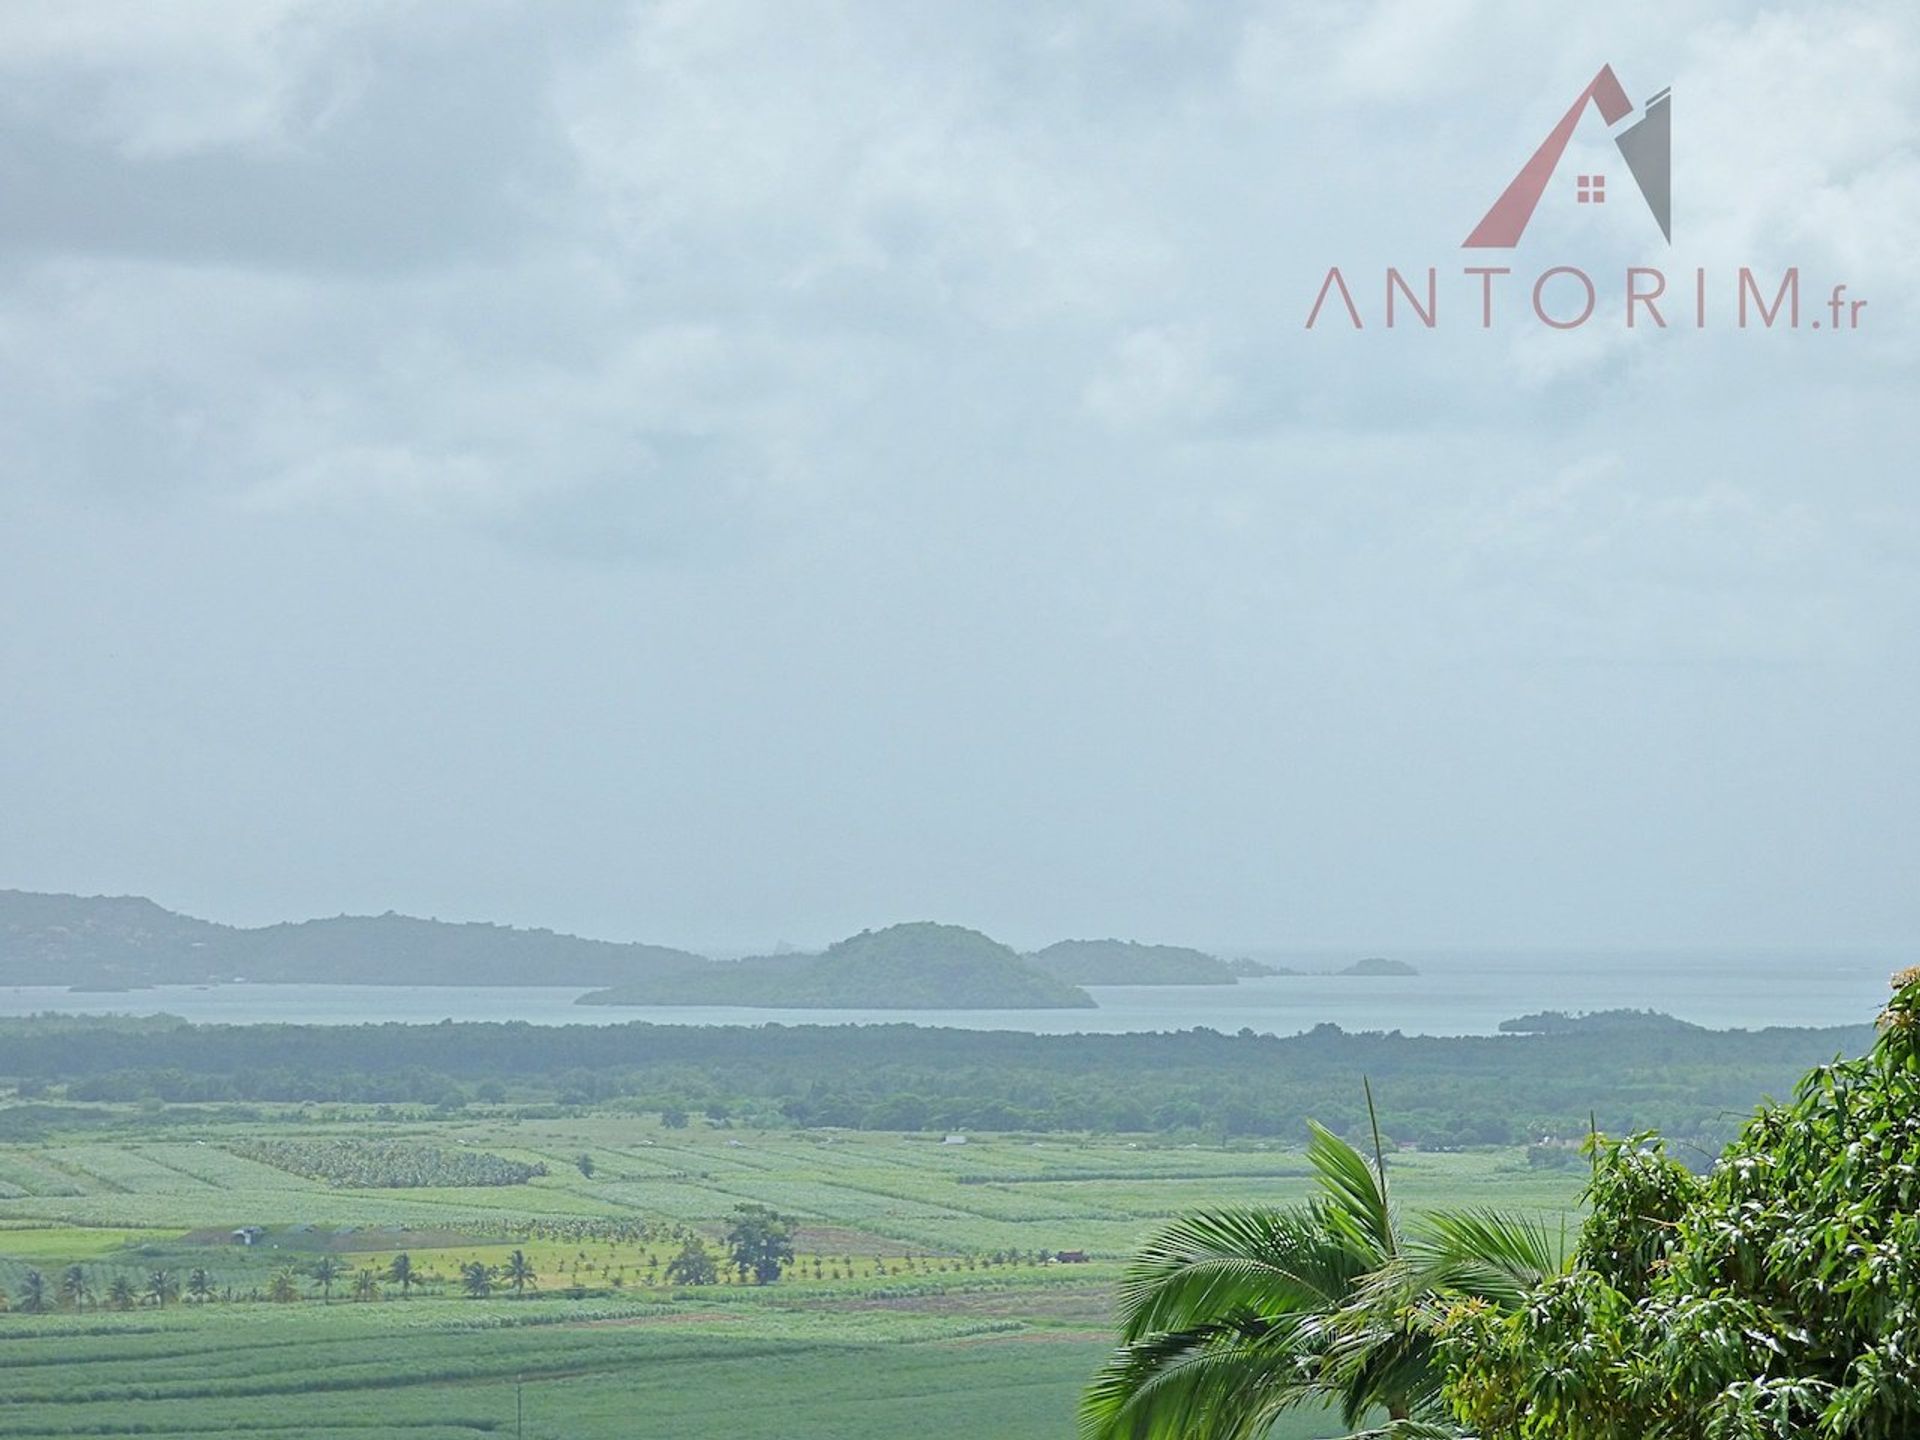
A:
{"points": [[130, 942]]}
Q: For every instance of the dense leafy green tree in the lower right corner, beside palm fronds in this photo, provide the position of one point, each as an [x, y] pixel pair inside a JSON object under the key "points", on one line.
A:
{"points": [[1777, 1299]]}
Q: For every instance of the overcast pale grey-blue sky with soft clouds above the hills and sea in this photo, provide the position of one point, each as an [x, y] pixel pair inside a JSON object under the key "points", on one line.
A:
{"points": [[719, 473]]}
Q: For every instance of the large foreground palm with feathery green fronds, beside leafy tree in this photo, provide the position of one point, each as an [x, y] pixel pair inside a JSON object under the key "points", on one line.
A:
{"points": [[1232, 1318]]}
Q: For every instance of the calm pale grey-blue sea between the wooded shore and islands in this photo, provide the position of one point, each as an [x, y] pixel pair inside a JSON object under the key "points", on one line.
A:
{"points": [[1452, 996]]}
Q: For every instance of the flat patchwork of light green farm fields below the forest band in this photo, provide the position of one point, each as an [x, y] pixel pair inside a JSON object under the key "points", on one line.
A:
{"points": [[924, 1299]]}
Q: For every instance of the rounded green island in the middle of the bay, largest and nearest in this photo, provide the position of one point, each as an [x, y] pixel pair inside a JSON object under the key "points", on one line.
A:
{"points": [[913, 967]]}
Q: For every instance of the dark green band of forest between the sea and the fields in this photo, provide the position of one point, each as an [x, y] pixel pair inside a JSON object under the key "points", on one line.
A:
{"points": [[1435, 1092]]}
